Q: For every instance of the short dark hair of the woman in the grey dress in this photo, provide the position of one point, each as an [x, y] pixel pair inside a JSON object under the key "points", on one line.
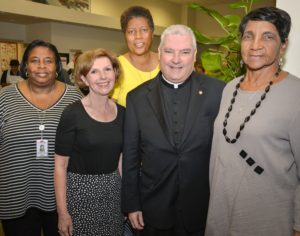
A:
{"points": [[279, 18]]}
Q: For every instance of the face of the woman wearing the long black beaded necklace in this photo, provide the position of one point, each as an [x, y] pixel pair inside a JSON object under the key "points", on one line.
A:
{"points": [[261, 46]]}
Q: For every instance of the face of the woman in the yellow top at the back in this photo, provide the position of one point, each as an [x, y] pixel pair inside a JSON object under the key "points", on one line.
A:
{"points": [[138, 36]]}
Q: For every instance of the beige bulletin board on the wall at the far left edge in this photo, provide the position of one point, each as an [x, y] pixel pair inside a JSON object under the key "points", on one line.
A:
{"points": [[8, 51]]}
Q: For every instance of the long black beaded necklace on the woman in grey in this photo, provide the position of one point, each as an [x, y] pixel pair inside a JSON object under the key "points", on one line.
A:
{"points": [[253, 111]]}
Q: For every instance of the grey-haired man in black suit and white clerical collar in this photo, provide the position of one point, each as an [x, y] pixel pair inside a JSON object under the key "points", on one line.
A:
{"points": [[168, 133]]}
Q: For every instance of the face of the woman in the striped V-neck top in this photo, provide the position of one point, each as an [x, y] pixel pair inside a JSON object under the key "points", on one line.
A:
{"points": [[41, 67]]}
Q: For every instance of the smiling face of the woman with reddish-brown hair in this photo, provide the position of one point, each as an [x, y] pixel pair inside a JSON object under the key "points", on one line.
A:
{"points": [[101, 77]]}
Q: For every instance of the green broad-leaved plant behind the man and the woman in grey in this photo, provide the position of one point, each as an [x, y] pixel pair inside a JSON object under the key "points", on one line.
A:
{"points": [[222, 59]]}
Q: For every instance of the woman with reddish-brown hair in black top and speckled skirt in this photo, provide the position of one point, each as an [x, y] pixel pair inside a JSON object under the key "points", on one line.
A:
{"points": [[88, 150]]}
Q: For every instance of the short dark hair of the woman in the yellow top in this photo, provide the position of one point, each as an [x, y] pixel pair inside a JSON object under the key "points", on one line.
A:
{"points": [[136, 11]]}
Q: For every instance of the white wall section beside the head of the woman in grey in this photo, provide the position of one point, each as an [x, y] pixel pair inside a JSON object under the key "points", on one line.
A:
{"points": [[292, 55]]}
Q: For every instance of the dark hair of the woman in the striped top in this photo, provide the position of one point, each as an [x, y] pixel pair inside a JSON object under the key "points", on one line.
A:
{"points": [[30, 47]]}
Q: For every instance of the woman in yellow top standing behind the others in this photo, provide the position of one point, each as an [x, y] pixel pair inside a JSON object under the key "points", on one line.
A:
{"points": [[139, 64]]}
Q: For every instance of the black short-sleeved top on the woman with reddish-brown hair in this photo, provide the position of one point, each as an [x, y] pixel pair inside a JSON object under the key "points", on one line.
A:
{"points": [[94, 147]]}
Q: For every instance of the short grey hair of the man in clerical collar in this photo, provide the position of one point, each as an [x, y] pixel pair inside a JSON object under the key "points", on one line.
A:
{"points": [[178, 30]]}
